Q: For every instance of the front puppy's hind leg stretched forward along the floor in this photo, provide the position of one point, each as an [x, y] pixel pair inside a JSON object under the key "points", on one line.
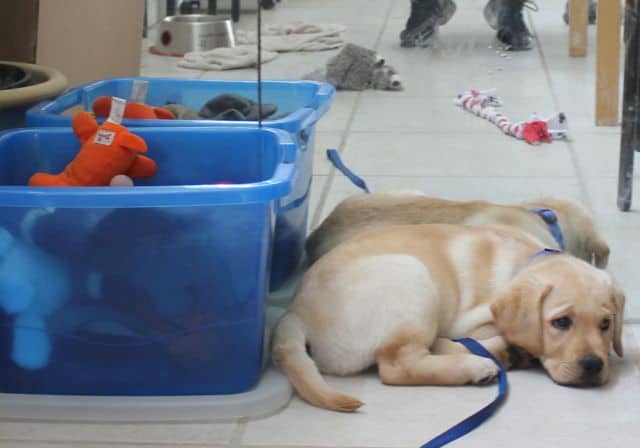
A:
{"points": [[411, 363]]}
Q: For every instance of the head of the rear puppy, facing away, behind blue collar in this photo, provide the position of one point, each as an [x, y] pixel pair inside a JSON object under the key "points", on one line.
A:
{"points": [[579, 231]]}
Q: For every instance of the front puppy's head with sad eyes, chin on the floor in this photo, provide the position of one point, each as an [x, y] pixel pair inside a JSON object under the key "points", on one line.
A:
{"points": [[567, 314]]}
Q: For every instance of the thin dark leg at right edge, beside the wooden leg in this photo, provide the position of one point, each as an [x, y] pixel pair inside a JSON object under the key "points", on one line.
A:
{"points": [[630, 135]]}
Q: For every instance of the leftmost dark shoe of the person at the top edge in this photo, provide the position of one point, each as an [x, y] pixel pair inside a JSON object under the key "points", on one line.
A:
{"points": [[425, 18]]}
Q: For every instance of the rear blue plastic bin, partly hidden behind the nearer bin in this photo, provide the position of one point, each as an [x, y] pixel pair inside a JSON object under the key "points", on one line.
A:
{"points": [[303, 103]]}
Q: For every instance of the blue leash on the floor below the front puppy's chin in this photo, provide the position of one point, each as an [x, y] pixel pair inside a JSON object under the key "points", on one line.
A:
{"points": [[472, 422]]}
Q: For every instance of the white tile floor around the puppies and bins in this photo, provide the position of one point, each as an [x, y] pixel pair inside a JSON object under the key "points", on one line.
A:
{"points": [[417, 139]]}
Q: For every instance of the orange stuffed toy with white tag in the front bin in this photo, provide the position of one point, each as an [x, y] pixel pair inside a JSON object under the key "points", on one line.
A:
{"points": [[107, 151]]}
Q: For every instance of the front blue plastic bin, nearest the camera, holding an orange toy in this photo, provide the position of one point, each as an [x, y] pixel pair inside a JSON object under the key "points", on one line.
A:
{"points": [[148, 290]]}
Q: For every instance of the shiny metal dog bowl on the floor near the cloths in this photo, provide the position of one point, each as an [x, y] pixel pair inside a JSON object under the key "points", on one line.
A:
{"points": [[193, 32]]}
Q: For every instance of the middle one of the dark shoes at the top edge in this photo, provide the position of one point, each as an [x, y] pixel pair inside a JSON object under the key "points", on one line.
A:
{"points": [[505, 16]]}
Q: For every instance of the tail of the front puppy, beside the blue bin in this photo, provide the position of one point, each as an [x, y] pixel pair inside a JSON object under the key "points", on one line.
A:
{"points": [[290, 354]]}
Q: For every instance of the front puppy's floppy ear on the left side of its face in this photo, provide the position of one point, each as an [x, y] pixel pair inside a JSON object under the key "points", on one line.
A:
{"points": [[518, 314]]}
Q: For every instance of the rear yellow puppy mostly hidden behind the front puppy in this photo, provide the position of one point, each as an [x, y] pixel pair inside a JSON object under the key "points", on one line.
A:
{"points": [[363, 212]]}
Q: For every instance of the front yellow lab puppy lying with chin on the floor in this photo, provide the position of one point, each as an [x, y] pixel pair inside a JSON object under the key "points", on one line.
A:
{"points": [[395, 297]]}
